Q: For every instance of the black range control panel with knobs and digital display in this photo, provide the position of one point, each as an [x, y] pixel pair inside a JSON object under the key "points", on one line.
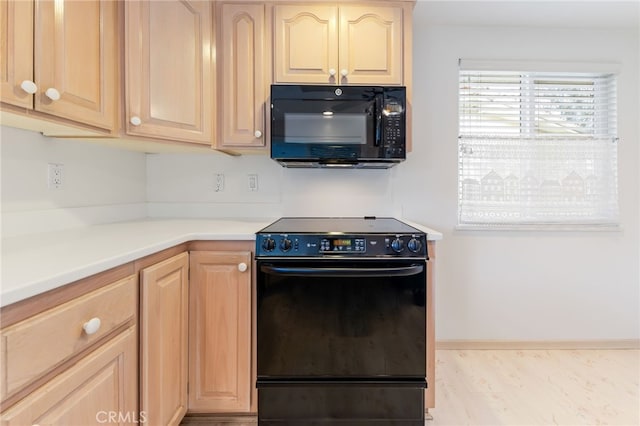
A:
{"points": [[343, 245]]}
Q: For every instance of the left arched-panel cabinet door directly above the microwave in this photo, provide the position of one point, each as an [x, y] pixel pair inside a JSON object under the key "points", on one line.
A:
{"points": [[306, 44]]}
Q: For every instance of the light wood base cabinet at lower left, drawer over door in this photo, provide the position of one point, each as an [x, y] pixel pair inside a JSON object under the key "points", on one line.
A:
{"points": [[68, 363]]}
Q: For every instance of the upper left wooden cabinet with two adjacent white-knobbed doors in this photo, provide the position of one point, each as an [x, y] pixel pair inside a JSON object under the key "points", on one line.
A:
{"points": [[61, 58]]}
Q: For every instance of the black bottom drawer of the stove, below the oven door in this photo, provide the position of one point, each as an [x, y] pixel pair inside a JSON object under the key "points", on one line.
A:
{"points": [[353, 405]]}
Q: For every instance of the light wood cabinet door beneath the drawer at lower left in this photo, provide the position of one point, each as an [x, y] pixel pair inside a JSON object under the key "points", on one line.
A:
{"points": [[102, 383]]}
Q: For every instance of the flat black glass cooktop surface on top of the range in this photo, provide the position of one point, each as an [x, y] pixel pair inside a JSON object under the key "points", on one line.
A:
{"points": [[347, 225]]}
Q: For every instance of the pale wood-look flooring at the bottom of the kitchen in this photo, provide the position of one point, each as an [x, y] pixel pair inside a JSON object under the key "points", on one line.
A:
{"points": [[525, 387]]}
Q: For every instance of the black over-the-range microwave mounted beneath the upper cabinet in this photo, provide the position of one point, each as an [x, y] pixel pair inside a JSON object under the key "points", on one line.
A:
{"points": [[338, 126]]}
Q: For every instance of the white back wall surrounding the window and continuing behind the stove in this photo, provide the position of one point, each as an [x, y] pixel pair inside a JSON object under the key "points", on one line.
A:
{"points": [[490, 285]]}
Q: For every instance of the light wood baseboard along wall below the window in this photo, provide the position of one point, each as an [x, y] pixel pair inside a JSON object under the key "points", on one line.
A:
{"points": [[538, 344]]}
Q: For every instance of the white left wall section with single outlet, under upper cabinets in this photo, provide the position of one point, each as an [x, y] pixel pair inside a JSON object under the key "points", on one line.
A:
{"points": [[101, 184]]}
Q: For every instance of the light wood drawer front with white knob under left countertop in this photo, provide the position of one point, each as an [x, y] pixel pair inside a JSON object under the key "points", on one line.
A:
{"points": [[34, 346]]}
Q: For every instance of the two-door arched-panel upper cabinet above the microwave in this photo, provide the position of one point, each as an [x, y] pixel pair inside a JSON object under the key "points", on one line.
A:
{"points": [[339, 44]]}
